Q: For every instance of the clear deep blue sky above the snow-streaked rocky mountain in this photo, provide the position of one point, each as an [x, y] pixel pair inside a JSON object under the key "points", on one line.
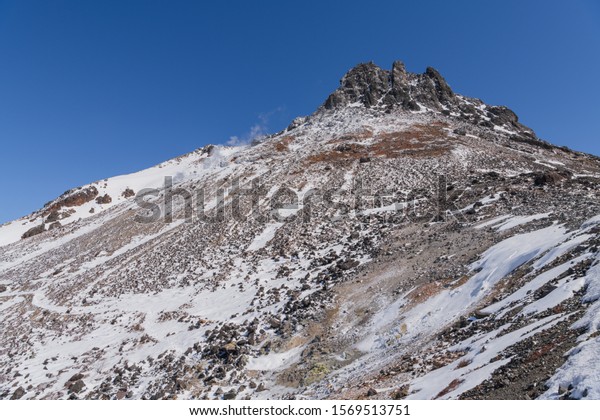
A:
{"points": [[91, 89]]}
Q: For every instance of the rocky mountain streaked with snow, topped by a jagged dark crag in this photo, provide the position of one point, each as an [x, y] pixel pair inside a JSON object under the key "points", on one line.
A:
{"points": [[403, 241]]}
